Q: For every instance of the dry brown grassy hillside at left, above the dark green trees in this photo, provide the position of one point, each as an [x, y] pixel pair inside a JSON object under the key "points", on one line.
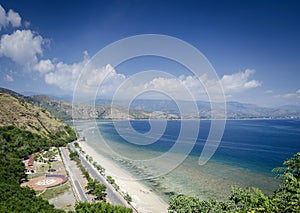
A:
{"points": [[15, 110]]}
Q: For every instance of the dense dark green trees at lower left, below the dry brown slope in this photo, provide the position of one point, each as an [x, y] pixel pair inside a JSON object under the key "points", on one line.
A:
{"points": [[16, 144]]}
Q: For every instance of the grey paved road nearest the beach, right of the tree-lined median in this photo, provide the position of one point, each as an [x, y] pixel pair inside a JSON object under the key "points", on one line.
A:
{"points": [[112, 194]]}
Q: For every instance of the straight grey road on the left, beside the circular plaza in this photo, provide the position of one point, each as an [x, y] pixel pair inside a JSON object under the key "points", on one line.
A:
{"points": [[78, 188]]}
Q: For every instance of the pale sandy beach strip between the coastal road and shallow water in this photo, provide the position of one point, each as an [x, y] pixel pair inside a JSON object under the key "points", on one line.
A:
{"points": [[143, 199]]}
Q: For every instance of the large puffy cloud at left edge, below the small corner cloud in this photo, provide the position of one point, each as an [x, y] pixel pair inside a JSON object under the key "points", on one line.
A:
{"points": [[22, 47]]}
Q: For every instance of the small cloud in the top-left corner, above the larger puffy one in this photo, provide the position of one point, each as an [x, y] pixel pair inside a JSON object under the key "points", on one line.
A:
{"points": [[11, 17]]}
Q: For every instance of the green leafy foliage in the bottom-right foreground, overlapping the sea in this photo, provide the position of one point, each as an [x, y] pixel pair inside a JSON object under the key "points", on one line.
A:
{"points": [[284, 199]]}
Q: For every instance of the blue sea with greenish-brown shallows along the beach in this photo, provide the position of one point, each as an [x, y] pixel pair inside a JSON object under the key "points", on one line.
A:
{"points": [[248, 152]]}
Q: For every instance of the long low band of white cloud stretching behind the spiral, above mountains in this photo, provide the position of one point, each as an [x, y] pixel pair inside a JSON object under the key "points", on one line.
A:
{"points": [[198, 87]]}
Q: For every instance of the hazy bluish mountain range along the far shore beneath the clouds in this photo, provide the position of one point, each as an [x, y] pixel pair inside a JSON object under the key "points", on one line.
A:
{"points": [[155, 109]]}
